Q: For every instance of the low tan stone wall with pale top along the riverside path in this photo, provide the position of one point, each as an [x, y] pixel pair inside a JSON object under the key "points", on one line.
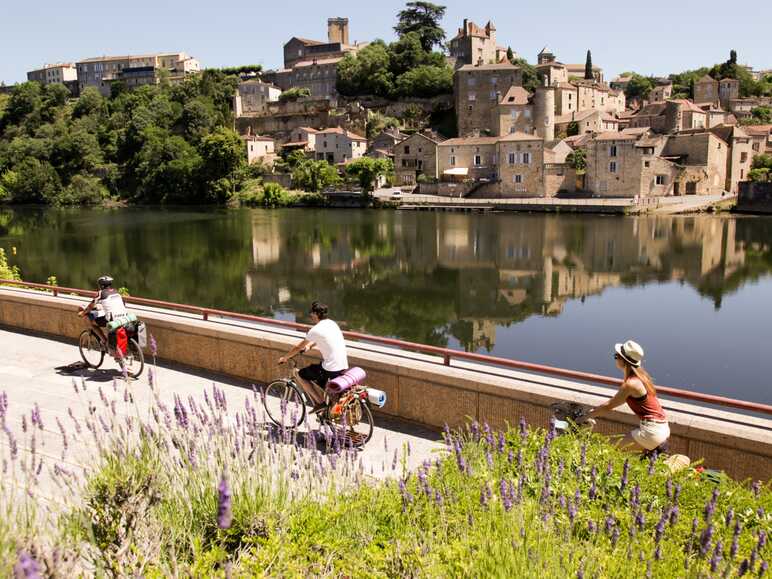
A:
{"points": [[420, 387]]}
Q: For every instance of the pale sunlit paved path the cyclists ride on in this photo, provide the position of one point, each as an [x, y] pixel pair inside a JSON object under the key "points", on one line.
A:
{"points": [[31, 373]]}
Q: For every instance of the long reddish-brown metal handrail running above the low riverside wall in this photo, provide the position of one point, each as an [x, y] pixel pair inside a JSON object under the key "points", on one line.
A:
{"points": [[445, 353]]}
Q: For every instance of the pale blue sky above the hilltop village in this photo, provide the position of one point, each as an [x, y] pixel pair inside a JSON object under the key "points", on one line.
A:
{"points": [[654, 37]]}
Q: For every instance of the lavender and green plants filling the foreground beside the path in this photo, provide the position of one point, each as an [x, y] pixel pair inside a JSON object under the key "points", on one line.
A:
{"points": [[514, 504]]}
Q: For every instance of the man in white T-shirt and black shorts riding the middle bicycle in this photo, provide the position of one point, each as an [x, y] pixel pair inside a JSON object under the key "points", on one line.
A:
{"points": [[325, 336]]}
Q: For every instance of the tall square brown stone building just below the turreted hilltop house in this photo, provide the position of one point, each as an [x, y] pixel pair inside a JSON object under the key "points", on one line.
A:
{"points": [[478, 89]]}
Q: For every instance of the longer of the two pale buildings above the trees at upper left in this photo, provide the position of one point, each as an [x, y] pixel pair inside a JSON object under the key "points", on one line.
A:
{"points": [[101, 71]]}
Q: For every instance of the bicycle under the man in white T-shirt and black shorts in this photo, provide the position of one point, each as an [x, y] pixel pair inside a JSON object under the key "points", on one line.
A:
{"points": [[349, 410]]}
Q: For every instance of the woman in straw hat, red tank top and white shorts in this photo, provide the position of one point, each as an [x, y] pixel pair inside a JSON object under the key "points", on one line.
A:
{"points": [[637, 390]]}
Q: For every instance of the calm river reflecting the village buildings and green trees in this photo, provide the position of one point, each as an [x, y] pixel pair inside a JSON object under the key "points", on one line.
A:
{"points": [[695, 291]]}
